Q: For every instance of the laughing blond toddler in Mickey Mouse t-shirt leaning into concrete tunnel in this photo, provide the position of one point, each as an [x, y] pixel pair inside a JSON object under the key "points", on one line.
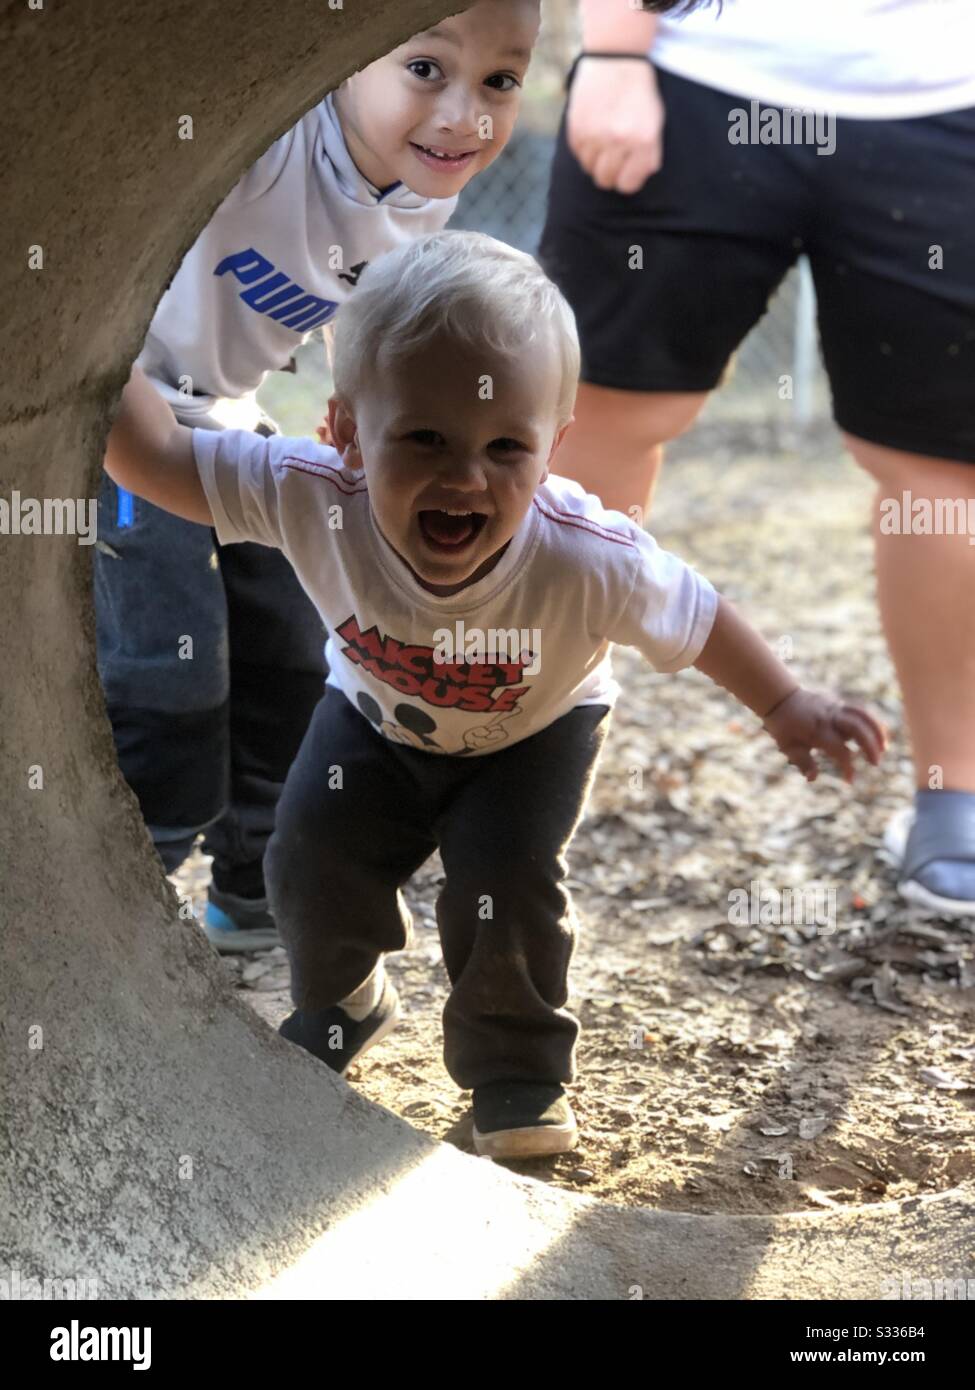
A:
{"points": [[456, 375]]}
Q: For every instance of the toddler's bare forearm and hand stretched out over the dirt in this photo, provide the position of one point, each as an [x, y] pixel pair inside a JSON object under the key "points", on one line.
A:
{"points": [[799, 721]]}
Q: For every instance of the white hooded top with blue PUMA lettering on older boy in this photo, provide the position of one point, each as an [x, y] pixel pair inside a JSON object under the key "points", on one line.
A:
{"points": [[276, 261]]}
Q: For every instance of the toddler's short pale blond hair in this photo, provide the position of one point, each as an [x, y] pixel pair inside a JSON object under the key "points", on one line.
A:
{"points": [[467, 284]]}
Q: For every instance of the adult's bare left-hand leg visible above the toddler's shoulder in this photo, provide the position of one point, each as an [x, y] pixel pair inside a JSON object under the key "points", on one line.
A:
{"points": [[615, 447]]}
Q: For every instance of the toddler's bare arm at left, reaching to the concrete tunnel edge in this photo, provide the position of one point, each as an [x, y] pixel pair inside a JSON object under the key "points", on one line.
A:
{"points": [[152, 455]]}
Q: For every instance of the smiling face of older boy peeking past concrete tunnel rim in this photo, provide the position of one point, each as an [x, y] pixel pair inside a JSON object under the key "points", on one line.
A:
{"points": [[418, 115]]}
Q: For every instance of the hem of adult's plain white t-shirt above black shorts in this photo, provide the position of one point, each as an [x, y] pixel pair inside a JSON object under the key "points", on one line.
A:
{"points": [[867, 59]]}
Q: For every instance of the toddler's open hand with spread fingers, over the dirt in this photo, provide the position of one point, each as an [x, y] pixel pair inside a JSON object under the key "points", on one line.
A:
{"points": [[806, 721]]}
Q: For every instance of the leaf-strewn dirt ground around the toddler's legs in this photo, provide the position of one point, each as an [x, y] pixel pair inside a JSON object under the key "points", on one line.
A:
{"points": [[730, 1067]]}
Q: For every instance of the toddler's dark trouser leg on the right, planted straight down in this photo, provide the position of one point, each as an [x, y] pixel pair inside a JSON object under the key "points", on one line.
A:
{"points": [[506, 918]]}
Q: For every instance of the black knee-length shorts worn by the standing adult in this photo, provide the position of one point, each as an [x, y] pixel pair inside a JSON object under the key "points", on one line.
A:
{"points": [[721, 224]]}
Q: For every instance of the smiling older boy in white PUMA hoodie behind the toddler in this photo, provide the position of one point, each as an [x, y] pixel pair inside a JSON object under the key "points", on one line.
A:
{"points": [[212, 660]]}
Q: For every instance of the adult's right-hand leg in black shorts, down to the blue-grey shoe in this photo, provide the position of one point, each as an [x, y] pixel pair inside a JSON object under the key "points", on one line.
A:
{"points": [[894, 261]]}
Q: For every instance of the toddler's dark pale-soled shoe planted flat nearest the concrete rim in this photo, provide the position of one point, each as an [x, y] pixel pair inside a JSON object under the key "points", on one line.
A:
{"points": [[522, 1120]]}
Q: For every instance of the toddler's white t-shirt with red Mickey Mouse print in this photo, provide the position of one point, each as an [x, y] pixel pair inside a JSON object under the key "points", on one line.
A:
{"points": [[574, 580]]}
